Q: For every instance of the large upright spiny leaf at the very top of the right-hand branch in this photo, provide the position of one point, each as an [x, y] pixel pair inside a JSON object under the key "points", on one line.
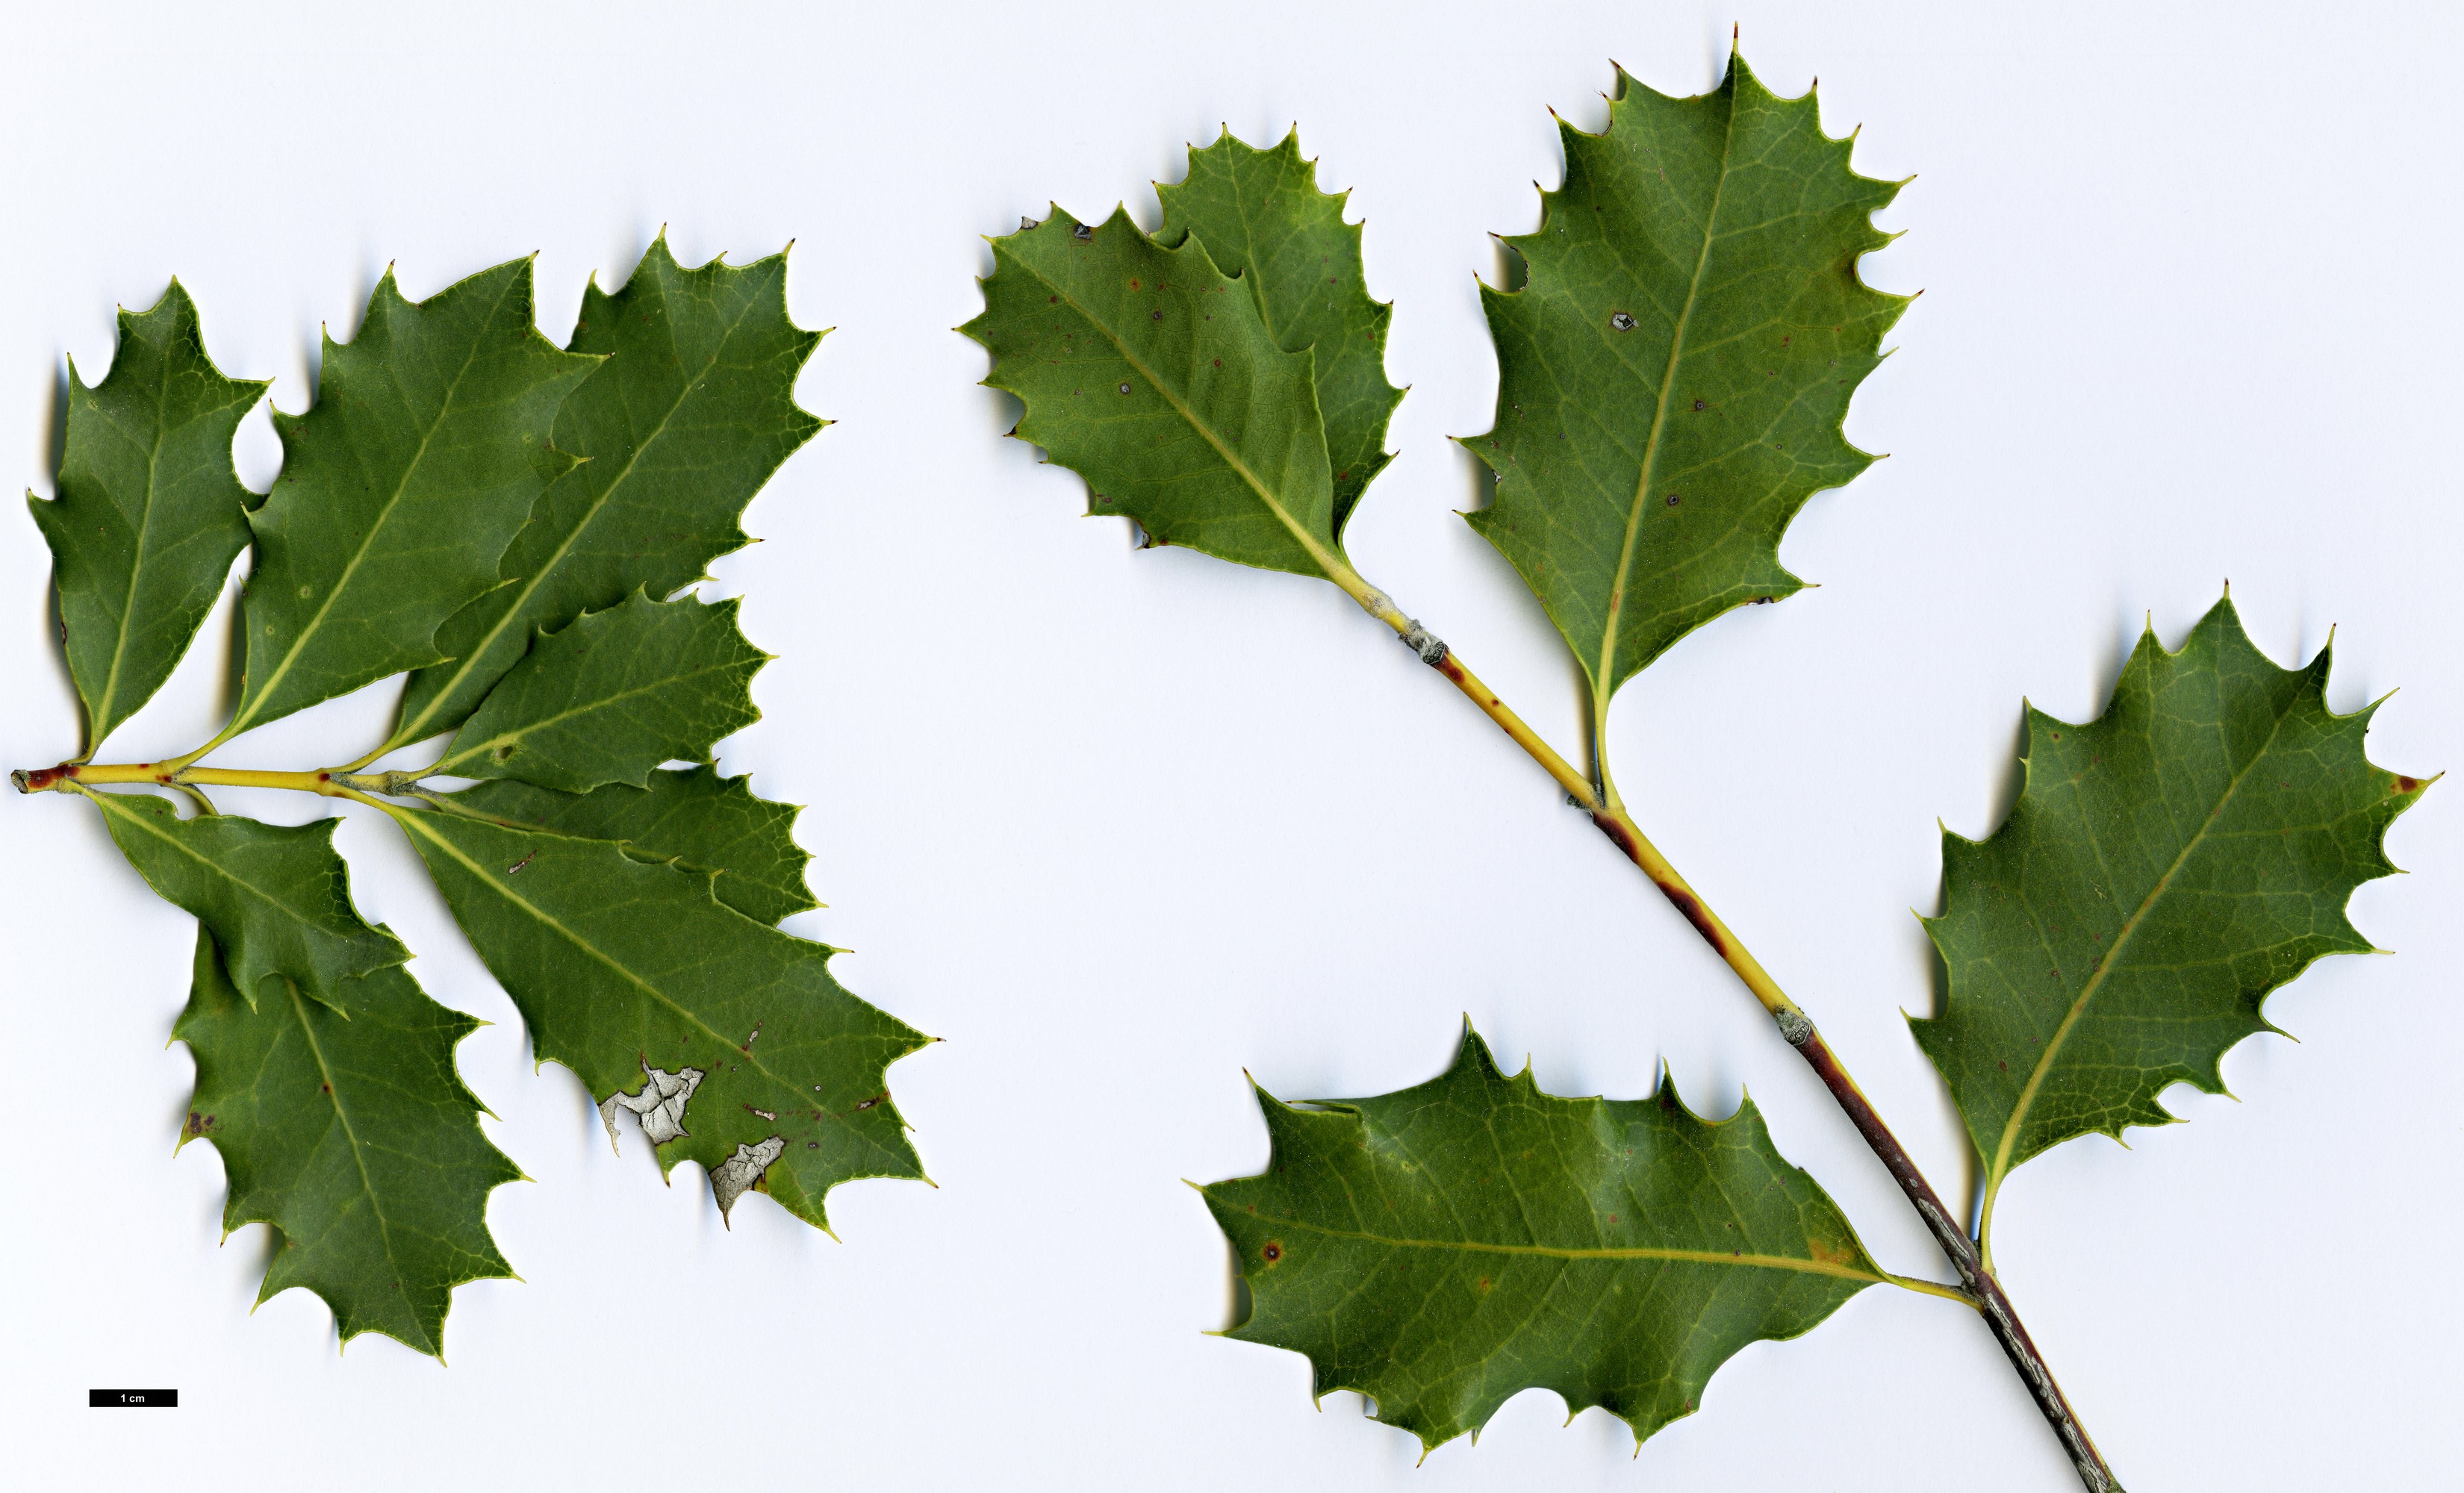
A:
{"points": [[1677, 366]]}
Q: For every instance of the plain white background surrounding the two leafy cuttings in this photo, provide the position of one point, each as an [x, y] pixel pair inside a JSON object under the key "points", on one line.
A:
{"points": [[1120, 827]]}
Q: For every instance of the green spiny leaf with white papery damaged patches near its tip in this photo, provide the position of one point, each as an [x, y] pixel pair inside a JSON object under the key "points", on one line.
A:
{"points": [[728, 1038]]}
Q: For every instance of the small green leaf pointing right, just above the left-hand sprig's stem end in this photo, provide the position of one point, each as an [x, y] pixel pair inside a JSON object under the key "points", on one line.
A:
{"points": [[615, 696]]}
